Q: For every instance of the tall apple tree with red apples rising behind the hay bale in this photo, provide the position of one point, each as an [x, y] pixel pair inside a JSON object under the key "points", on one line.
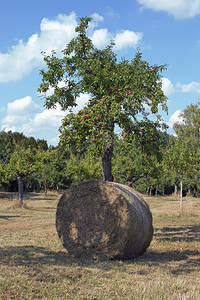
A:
{"points": [[123, 94]]}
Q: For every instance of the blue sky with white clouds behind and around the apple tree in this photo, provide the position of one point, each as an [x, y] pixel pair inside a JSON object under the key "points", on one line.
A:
{"points": [[167, 32]]}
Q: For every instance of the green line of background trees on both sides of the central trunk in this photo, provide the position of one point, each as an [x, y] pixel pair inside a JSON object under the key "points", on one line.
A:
{"points": [[31, 165]]}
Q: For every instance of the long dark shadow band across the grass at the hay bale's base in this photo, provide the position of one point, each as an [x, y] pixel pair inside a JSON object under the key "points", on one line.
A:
{"points": [[36, 257]]}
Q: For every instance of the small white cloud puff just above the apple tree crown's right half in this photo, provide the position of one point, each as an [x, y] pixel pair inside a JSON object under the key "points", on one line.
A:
{"points": [[127, 38]]}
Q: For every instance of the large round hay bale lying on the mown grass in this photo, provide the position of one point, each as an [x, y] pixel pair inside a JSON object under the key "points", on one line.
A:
{"points": [[98, 219]]}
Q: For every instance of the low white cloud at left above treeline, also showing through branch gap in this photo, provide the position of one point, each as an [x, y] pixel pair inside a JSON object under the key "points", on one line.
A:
{"points": [[24, 115]]}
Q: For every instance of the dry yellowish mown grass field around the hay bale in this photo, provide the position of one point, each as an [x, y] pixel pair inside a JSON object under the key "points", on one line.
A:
{"points": [[34, 265]]}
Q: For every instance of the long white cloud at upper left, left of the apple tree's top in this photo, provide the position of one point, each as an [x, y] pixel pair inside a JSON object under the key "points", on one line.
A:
{"points": [[24, 56]]}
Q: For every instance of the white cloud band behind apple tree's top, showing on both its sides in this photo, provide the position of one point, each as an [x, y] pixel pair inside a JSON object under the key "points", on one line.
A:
{"points": [[23, 57]]}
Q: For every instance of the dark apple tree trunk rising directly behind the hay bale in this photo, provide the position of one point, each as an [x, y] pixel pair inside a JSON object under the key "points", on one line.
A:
{"points": [[106, 162]]}
